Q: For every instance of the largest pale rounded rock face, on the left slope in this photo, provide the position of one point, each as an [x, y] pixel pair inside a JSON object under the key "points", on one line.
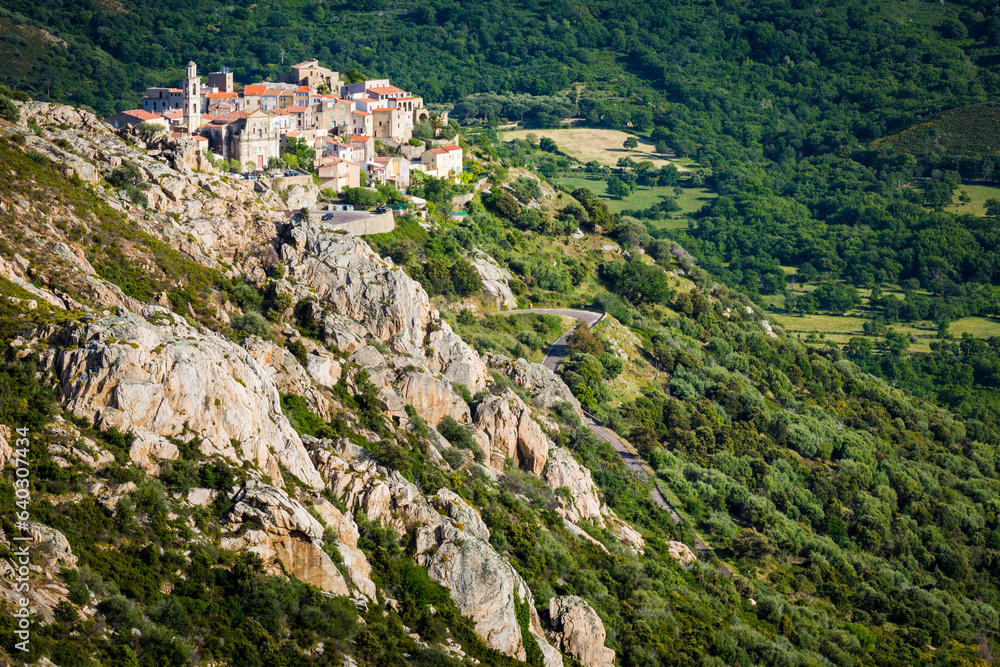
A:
{"points": [[167, 379]]}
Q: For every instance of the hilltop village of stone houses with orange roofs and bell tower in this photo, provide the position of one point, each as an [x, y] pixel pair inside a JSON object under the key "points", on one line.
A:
{"points": [[340, 120]]}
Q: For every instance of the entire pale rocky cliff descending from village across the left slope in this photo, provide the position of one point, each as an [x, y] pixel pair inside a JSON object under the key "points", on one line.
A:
{"points": [[319, 419]]}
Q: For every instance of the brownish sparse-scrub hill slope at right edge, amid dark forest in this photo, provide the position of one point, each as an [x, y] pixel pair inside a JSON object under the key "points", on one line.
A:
{"points": [[972, 131]]}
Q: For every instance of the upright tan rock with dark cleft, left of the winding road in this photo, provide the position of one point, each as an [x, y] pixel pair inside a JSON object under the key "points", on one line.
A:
{"points": [[512, 432]]}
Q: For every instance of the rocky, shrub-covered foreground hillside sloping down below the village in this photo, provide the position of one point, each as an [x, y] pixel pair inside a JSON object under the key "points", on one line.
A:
{"points": [[256, 442]]}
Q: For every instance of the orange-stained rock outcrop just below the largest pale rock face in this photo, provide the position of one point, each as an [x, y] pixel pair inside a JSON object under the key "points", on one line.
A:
{"points": [[287, 536]]}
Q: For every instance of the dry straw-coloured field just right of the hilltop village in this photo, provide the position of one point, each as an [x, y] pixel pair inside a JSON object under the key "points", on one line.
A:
{"points": [[604, 146]]}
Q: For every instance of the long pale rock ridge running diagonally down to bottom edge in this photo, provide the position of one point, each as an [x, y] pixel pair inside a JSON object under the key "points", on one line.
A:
{"points": [[453, 545]]}
